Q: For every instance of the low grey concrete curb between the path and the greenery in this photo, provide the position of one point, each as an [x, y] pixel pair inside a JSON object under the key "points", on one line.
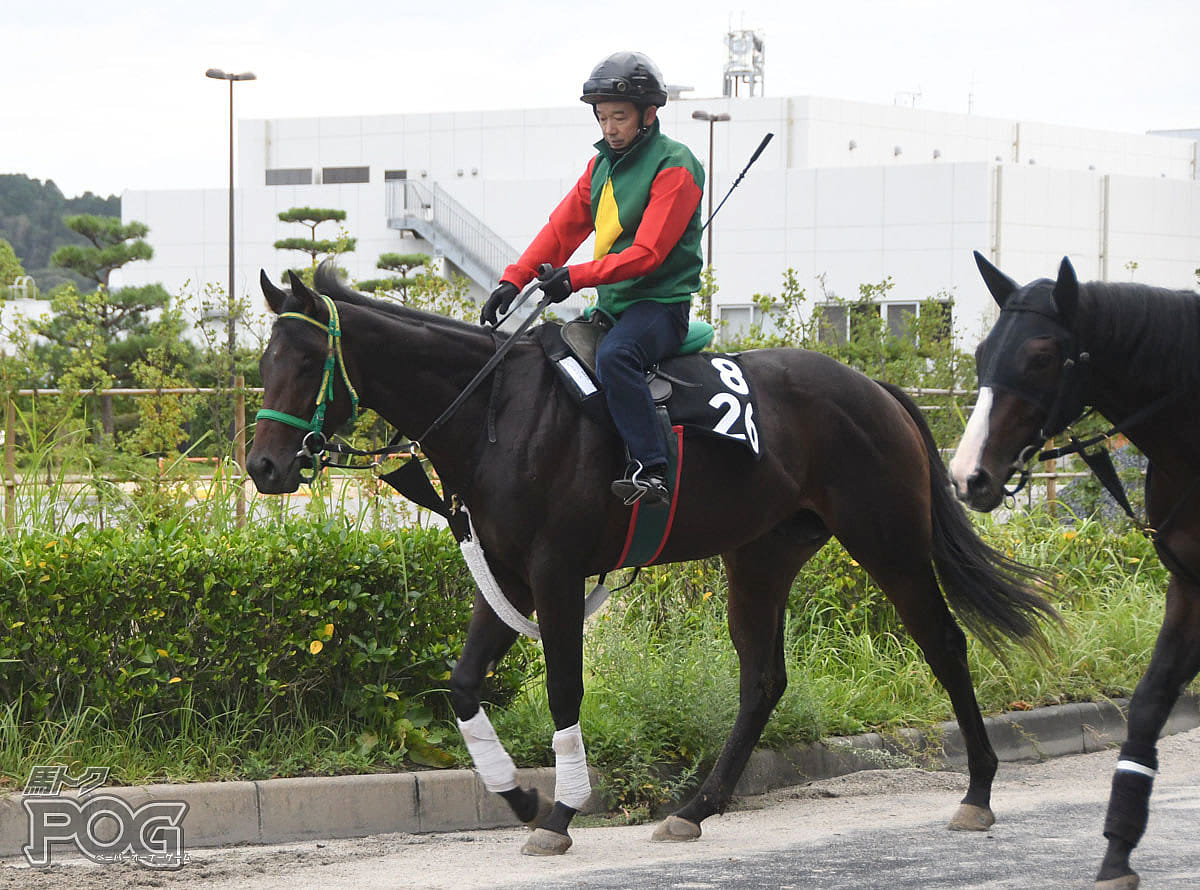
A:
{"points": [[281, 810]]}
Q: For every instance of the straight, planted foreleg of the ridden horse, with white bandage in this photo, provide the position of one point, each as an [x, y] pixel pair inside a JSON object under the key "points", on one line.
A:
{"points": [[560, 600]]}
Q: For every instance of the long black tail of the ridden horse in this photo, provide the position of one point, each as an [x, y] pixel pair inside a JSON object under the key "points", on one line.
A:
{"points": [[992, 594]]}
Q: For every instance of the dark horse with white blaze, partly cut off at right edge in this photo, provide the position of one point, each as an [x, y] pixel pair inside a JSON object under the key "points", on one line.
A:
{"points": [[1133, 354]]}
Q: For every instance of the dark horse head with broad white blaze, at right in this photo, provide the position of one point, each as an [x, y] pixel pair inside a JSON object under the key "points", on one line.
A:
{"points": [[1031, 382]]}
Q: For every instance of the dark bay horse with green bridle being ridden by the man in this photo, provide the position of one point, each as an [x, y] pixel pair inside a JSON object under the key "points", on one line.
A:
{"points": [[843, 456]]}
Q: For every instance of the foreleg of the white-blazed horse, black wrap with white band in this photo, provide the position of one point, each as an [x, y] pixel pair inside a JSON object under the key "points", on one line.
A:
{"points": [[1177, 660]]}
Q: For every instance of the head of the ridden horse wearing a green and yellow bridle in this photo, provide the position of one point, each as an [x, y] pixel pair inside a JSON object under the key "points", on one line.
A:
{"points": [[304, 387]]}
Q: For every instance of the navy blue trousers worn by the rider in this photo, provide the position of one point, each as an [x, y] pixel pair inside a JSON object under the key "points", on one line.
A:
{"points": [[645, 334]]}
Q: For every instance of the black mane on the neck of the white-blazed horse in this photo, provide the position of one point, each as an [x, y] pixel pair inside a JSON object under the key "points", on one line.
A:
{"points": [[1156, 330]]}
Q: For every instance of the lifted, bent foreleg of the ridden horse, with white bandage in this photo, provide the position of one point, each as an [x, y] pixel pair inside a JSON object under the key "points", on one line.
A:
{"points": [[488, 641]]}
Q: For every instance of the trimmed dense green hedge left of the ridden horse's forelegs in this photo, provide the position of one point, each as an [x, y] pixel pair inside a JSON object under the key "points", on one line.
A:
{"points": [[303, 617]]}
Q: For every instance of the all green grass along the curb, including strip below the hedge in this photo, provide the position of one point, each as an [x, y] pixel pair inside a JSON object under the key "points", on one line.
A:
{"points": [[662, 676]]}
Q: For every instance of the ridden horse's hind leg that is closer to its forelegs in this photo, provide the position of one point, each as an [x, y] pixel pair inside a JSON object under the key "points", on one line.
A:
{"points": [[760, 576]]}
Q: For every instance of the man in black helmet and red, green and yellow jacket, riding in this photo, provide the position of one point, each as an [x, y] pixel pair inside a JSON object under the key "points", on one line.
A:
{"points": [[641, 196]]}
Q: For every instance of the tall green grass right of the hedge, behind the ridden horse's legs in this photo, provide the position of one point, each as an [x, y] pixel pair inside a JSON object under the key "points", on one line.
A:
{"points": [[665, 690]]}
